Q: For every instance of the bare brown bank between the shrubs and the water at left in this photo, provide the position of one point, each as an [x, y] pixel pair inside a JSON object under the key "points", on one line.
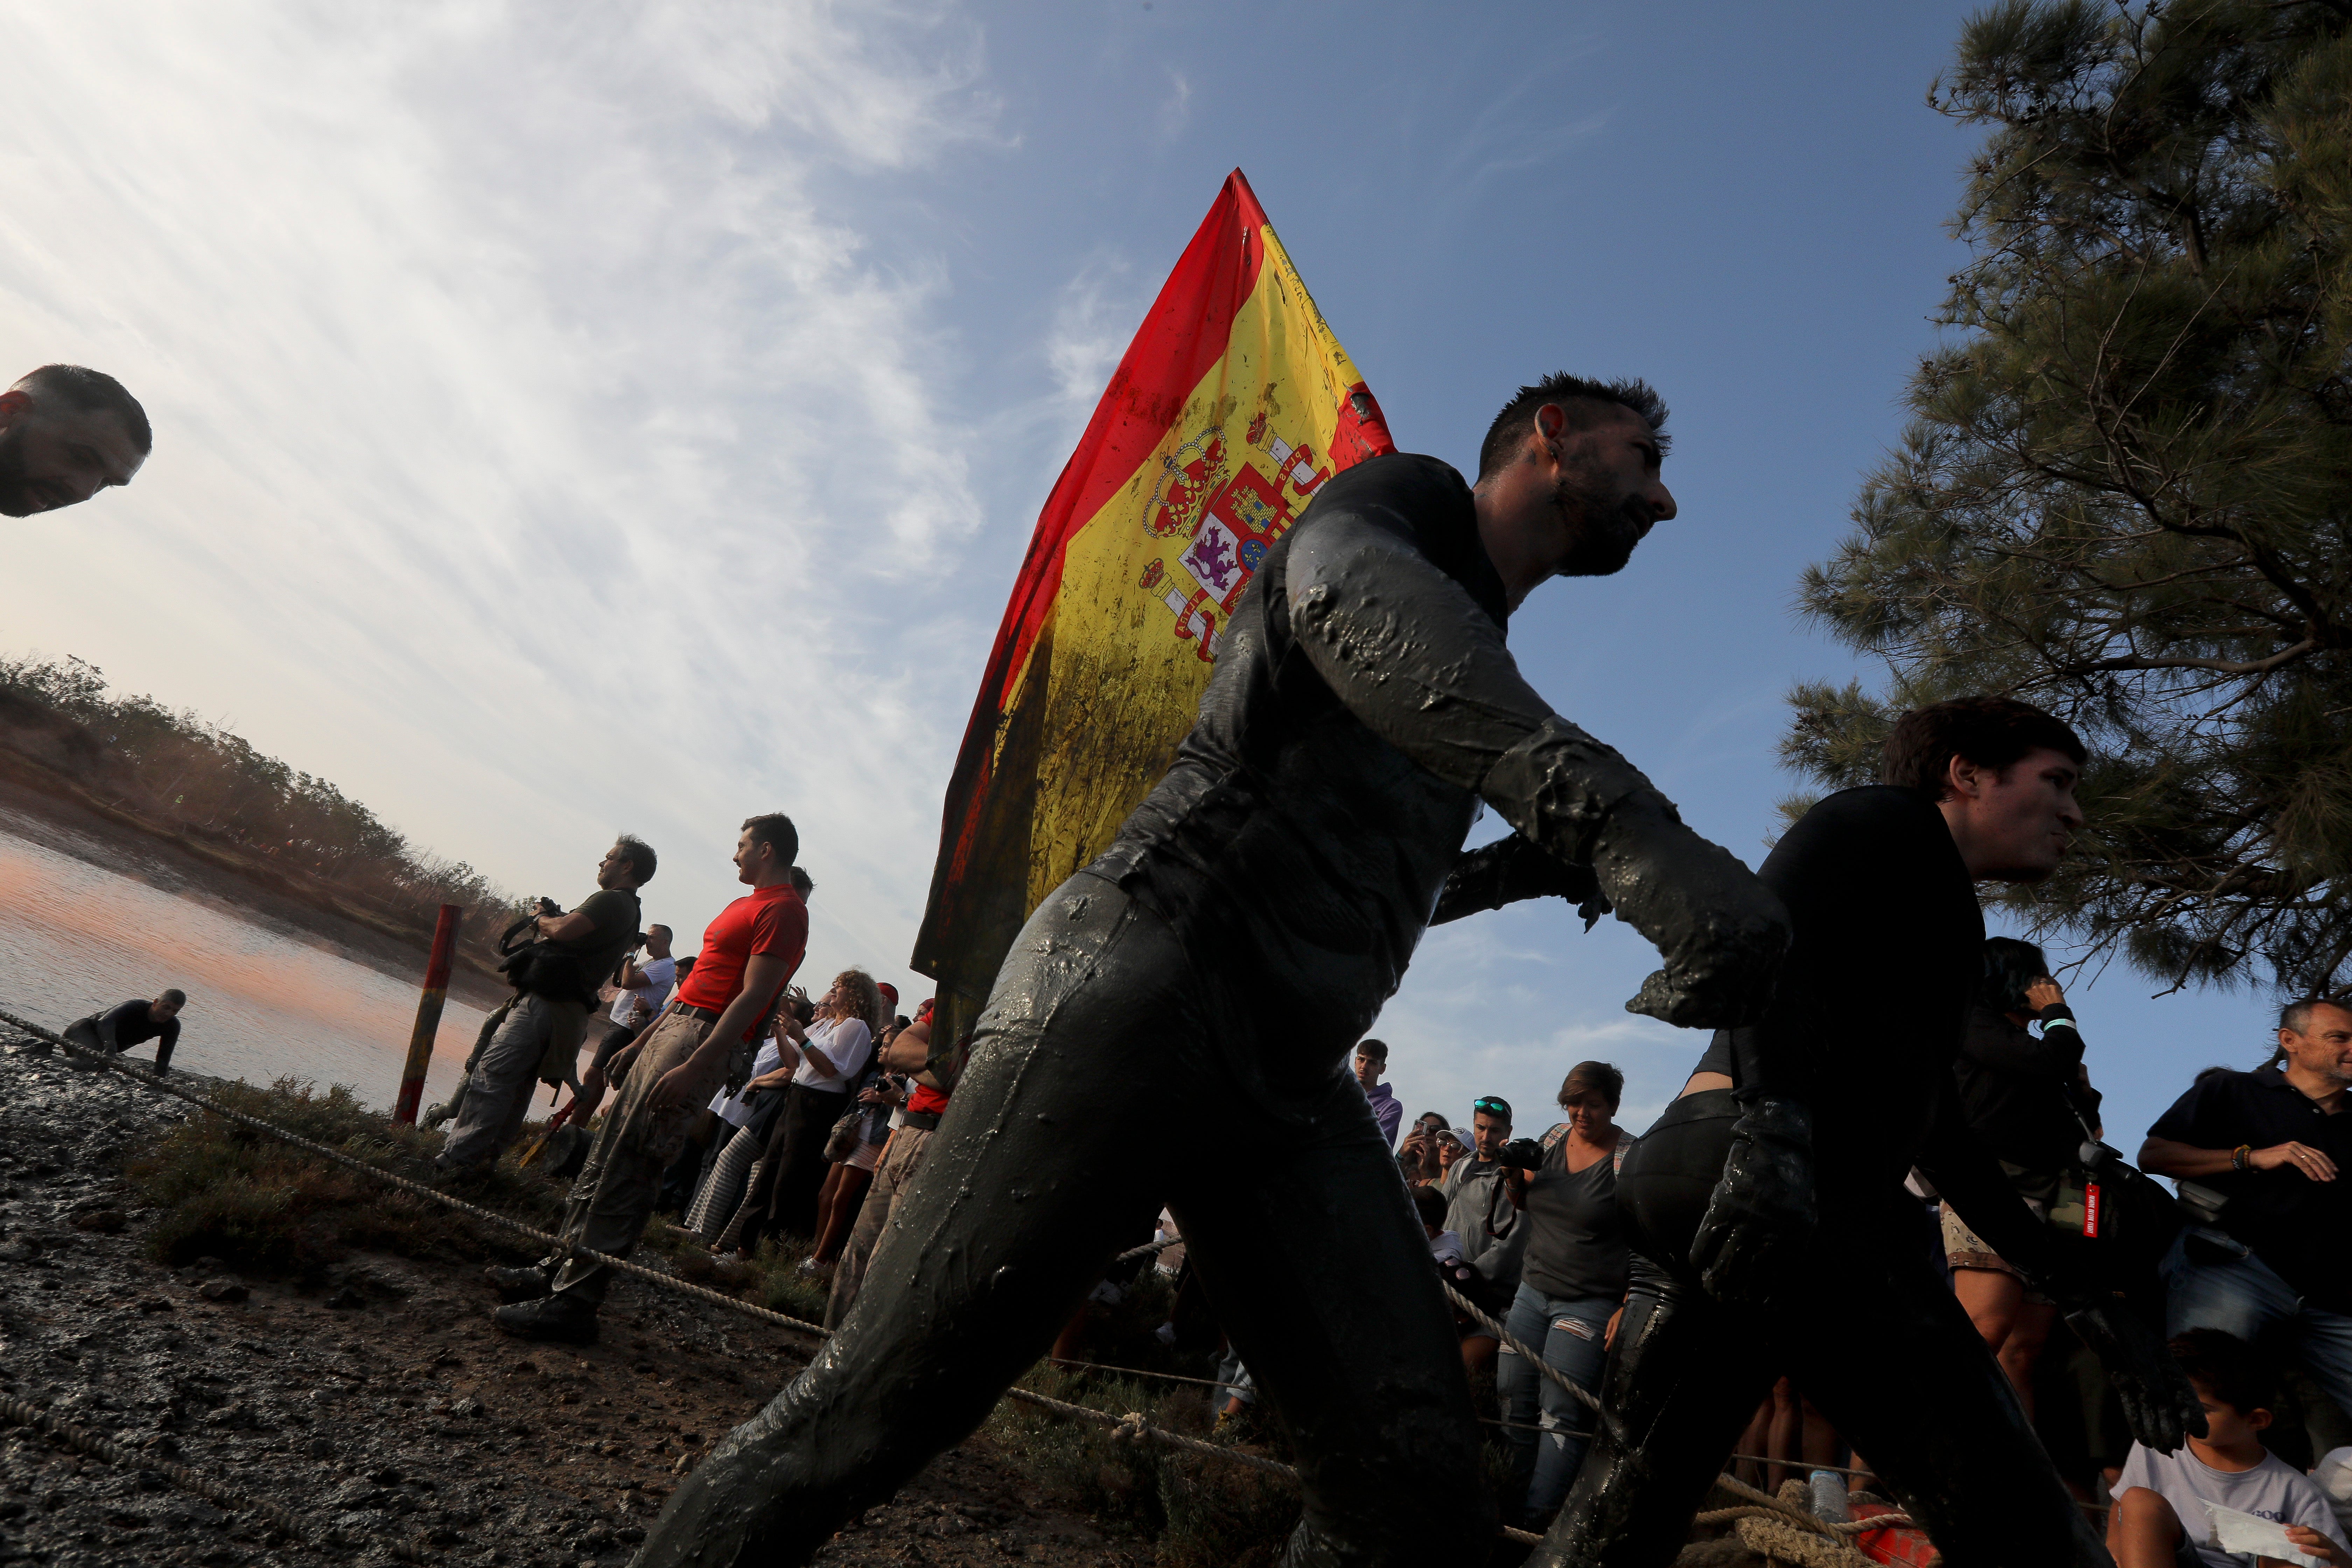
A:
{"points": [[161, 859]]}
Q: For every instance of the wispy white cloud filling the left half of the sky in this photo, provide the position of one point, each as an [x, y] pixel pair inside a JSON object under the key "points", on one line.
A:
{"points": [[537, 448]]}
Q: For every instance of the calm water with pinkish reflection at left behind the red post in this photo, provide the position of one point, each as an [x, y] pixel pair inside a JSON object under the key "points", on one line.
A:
{"points": [[265, 1000]]}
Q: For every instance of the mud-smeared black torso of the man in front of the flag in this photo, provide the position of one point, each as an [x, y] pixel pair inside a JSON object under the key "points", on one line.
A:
{"points": [[1297, 850]]}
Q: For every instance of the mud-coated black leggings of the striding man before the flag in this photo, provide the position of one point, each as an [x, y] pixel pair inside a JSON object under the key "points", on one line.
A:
{"points": [[1100, 1059]]}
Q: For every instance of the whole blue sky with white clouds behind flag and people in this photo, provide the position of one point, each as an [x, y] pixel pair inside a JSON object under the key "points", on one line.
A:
{"points": [[580, 420]]}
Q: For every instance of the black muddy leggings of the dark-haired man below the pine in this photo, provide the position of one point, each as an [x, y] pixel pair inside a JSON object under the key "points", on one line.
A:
{"points": [[1869, 1332]]}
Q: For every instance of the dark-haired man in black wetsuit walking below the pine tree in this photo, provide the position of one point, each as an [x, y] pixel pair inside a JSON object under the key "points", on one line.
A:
{"points": [[1768, 1212]]}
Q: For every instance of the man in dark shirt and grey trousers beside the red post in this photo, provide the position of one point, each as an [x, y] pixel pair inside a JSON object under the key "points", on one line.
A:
{"points": [[556, 981]]}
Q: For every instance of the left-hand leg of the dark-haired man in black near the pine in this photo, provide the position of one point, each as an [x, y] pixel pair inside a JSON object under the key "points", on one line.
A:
{"points": [[1683, 1381]]}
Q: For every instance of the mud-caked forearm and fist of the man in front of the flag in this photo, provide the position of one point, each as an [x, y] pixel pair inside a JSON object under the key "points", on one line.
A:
{"points": [[1720, 932]]}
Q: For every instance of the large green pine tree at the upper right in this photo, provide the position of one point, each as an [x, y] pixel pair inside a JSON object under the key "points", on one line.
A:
{"points": [[2127, 478]]}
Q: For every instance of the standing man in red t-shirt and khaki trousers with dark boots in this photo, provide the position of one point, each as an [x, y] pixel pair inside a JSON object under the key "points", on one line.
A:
{"points": [[700, 1043]]}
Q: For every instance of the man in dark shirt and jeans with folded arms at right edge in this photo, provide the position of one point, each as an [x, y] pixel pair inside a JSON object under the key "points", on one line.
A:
{"points": [[2276, 1146]]}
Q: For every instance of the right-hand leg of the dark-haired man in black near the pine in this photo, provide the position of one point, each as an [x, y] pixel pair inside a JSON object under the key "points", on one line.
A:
{"points": [[1904, 1376]]}
